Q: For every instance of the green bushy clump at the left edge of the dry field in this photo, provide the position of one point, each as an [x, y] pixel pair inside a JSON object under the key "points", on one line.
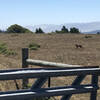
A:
{"points": [[4, 50]]}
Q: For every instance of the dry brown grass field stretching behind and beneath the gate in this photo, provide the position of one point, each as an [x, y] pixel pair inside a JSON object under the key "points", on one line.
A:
{"points": [[55, 48]]}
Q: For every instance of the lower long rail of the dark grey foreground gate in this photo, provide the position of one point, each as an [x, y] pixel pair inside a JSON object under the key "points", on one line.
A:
{"points": [[59, 91]]}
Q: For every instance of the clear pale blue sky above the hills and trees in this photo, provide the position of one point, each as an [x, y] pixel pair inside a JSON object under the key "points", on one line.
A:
{"points": [[35, 12]]}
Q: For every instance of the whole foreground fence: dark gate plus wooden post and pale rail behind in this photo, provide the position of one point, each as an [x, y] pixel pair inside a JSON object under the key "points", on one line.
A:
{"points": [[42, 75]]}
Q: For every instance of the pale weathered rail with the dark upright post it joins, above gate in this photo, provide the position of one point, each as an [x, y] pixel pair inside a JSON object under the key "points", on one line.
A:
{"points": [[26, 61]]}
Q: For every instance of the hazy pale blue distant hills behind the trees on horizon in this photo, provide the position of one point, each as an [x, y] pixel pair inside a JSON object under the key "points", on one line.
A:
{"points": [[83, 27]]}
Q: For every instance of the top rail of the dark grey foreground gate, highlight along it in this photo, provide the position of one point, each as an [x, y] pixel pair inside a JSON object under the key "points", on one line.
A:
{"points": [[36, 73]]}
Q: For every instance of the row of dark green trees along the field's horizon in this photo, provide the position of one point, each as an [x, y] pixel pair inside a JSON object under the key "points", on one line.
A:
{"points": [[19, 29]]}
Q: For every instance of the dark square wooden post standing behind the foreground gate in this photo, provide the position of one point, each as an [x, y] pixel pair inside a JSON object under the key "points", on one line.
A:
{"points": [[24, 65]]}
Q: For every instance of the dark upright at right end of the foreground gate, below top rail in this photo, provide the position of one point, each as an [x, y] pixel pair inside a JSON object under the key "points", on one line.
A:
{"points": [[94, 83]]}
